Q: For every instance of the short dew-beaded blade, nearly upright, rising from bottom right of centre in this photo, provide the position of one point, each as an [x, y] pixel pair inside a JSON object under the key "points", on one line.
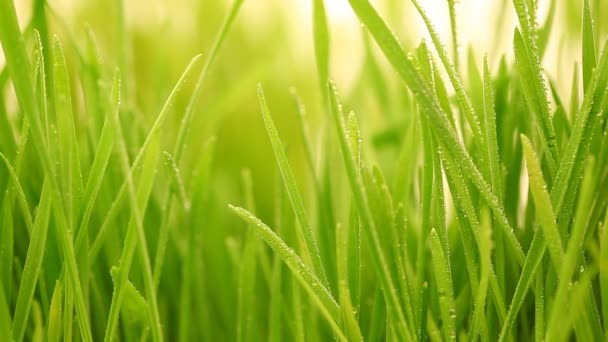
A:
{"points": [[445, 290]]}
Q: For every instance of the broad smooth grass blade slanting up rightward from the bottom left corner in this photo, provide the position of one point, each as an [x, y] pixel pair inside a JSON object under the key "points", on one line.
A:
{"points": [[33, 264]]}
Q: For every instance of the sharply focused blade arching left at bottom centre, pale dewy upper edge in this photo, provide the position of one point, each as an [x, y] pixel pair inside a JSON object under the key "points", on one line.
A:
{"points": [[319, 293]]}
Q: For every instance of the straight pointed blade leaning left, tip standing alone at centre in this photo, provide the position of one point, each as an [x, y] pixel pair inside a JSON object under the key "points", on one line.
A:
{"points": [[292, 190]]}
